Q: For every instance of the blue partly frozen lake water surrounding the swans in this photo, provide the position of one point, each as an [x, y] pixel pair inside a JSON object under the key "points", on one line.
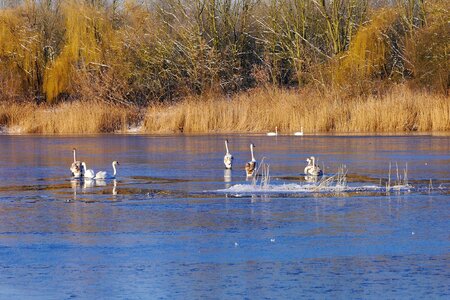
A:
{"points": [[175, 225]]}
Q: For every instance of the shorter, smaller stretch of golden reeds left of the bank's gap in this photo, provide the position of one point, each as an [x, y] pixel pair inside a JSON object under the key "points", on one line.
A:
{"points": [[76, 117]]}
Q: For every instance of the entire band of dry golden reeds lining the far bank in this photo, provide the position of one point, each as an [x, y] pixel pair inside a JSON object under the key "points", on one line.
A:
{"points": [[401, 110]]}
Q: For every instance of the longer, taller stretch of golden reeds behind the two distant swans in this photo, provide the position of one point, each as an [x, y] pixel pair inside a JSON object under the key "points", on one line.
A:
{"points": [[402, 110]]}
